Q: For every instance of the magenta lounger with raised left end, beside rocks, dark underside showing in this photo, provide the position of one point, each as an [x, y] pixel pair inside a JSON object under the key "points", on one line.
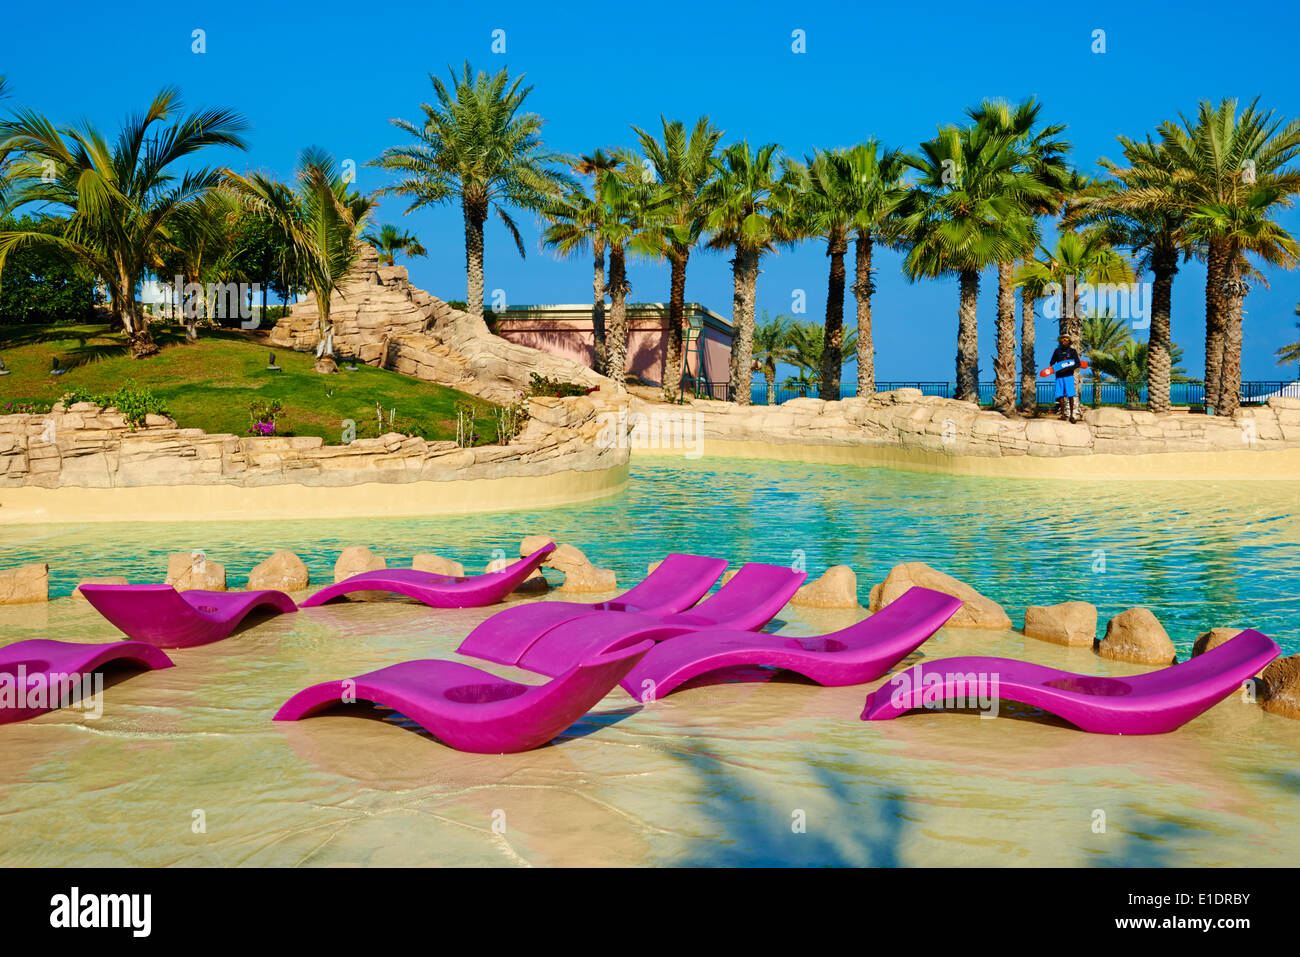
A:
{"points": [[167, 618]]}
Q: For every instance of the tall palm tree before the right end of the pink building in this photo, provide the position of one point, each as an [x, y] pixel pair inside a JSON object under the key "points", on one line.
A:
{"points": [[683, 166]]}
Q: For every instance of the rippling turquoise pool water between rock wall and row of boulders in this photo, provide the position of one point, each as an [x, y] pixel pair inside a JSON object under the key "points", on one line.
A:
{"points": [[1199, 555]]}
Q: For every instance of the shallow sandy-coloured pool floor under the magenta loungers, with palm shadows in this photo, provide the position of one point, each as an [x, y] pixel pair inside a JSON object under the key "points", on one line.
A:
{"points": [[187, 768]]}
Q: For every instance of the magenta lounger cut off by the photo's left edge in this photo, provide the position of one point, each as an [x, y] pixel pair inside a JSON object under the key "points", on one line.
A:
{"points": [[41, 675]]}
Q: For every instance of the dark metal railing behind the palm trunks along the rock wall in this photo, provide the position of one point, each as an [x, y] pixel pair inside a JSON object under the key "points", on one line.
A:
{"points": [[1108, 393]]}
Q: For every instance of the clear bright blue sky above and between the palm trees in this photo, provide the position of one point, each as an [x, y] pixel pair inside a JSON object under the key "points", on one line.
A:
{"points": [[333, 75]]}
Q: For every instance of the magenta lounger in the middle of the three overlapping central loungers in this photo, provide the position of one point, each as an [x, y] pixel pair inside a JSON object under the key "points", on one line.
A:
{"points": [[746, 604]]}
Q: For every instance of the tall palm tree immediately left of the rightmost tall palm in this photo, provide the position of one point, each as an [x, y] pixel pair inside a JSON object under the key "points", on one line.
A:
{"points": [[1141, 209]]}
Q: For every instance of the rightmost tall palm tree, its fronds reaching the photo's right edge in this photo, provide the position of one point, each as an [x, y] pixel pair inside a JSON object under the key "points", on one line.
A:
{"points": [[1234, 171]]}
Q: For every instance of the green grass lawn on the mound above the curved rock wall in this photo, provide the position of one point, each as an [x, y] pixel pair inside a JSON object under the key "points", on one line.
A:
{"points": [[209, 384]]}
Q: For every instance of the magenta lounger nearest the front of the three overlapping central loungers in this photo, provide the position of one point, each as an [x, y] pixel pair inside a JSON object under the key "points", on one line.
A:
{"points": [[860, 653]]}
